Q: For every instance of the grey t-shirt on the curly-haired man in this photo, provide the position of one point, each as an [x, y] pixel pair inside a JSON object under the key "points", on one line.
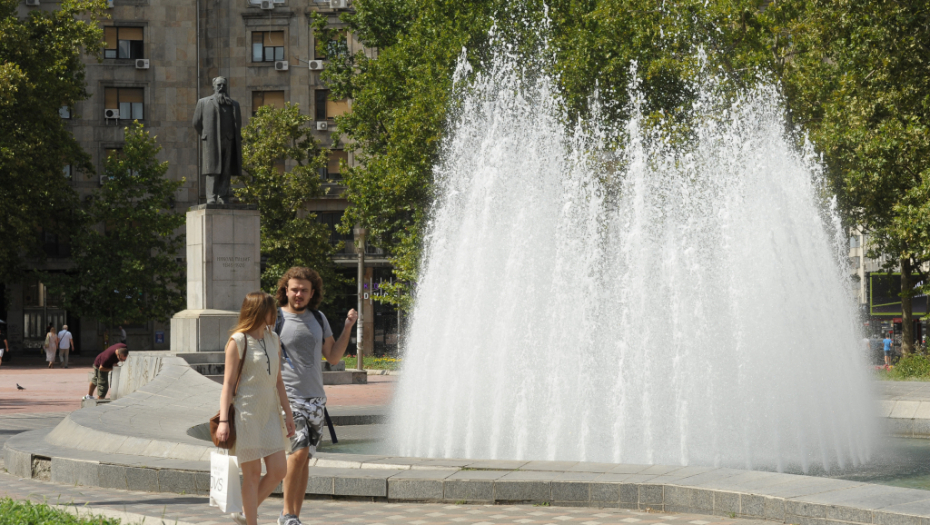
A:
{"points": [[303, 337]]}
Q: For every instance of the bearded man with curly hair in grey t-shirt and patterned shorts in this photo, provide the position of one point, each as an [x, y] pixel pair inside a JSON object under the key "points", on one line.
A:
{"points": [[306, 338]]}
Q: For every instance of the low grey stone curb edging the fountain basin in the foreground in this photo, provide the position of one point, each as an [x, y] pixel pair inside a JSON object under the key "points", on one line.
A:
{"points": [[785, 498]]}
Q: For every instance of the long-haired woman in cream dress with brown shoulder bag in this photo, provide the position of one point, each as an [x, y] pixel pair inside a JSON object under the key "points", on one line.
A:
{"points": [[261, 432]]}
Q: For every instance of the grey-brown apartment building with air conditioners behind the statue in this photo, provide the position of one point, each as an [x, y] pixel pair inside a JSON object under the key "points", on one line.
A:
{"points": [[159, 59]]}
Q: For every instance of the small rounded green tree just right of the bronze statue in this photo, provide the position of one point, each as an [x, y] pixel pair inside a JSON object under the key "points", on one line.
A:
{"points": [[290, 235]]}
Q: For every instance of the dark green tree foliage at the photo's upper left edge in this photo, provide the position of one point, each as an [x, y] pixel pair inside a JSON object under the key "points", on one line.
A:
{"points": [[41, 70]]}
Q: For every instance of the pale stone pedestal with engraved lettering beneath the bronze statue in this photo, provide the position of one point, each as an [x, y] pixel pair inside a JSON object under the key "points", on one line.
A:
{"points": [[223, 265]]}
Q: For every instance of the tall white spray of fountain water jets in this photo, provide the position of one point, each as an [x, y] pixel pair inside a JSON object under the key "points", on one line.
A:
{"points": [[629, 293]]}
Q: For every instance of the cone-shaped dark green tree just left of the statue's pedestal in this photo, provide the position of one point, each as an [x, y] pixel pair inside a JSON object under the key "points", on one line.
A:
{"points": [[125, 263]]}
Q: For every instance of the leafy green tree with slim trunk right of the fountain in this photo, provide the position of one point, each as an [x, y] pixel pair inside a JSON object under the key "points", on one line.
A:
{"points": [[859, 80]]}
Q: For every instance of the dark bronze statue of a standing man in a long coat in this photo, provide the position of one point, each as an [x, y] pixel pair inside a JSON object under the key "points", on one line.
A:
{"points": [[218, 122]]}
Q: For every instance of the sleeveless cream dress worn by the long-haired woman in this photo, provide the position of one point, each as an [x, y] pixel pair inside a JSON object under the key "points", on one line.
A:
{"points": [[259, 421]]}
